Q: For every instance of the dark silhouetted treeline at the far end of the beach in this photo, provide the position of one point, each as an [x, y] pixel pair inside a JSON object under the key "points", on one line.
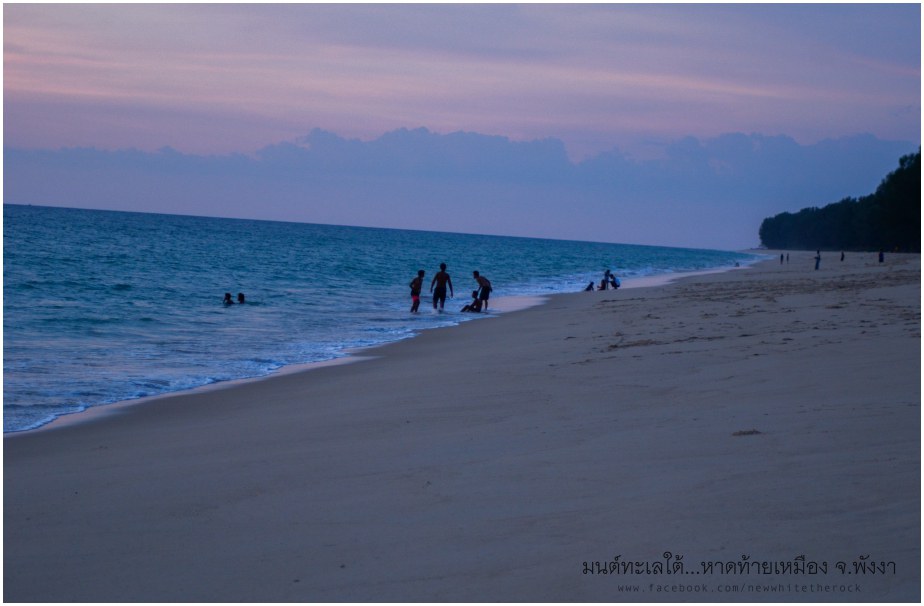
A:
{"points": [[889, 219]]}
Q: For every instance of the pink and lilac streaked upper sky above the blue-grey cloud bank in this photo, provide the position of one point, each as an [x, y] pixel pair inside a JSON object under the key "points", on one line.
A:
{"points": [[595, 76]]}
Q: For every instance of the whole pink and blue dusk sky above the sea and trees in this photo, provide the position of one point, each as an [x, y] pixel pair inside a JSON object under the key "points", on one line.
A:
{"points": [[634, 123]]}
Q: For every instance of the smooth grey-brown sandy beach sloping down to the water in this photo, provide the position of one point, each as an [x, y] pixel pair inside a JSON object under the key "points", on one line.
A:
{"points": [[752, 435]]}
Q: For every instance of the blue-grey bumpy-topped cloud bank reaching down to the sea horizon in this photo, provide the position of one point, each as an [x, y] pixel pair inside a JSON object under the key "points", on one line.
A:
{"points": [[710, 193]]}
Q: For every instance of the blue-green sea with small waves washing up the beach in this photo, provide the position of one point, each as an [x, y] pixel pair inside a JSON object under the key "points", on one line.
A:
{"points": [[102, 307]]}
